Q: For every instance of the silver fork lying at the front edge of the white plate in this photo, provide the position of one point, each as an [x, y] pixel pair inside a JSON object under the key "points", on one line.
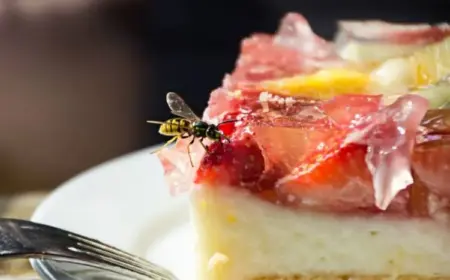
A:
{"points": [[25, 239]]}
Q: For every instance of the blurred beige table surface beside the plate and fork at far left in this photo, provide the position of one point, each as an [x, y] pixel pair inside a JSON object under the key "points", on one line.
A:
{"points": [[19, 206]]}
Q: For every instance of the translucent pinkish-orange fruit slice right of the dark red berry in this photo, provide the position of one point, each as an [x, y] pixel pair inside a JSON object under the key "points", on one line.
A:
{"points": [[311, 141]]}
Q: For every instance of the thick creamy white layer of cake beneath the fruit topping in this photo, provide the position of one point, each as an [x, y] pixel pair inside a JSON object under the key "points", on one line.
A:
{"points": [[253, 238]]}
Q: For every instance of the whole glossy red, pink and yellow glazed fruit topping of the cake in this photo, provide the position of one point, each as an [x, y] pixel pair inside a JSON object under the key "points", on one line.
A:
{"points": [[323, 128]]}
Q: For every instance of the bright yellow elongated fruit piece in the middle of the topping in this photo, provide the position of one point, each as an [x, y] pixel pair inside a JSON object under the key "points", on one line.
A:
{"points": [[323, 84]]}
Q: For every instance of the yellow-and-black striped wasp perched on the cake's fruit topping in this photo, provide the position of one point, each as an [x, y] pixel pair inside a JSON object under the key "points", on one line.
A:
{"points": [[188, 125]]}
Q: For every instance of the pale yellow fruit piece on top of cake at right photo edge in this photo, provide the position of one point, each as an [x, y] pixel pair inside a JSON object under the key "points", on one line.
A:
{"points": [[431, 63]]}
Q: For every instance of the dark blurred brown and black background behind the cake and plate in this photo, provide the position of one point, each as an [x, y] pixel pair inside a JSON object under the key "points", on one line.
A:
{"points": [[78, 78]]}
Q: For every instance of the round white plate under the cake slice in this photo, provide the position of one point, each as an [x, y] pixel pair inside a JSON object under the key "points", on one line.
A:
{"points": [[125, 203]]}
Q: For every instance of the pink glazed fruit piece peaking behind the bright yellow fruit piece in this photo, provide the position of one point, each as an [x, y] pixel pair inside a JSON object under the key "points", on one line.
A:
{"points": [[295, 49]]}
